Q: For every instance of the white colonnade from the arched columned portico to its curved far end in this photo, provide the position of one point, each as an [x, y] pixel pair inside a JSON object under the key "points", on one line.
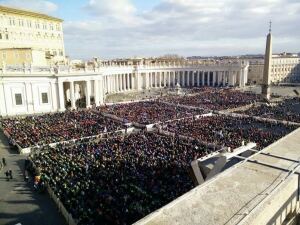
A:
{"points": [[108, 81]]}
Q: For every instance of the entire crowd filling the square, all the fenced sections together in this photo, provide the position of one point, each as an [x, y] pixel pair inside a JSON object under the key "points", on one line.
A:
{"points": [[118, 179]]}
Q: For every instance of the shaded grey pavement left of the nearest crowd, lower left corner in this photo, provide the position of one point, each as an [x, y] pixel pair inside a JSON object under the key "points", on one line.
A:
{"points": [[19, 204]]}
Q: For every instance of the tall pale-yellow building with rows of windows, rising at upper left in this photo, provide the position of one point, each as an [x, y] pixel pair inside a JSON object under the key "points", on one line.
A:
{"points": [[26, 29]]}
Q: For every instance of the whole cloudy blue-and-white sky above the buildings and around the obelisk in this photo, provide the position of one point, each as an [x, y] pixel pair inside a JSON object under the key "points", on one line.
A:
{"points": [[126, 28]]}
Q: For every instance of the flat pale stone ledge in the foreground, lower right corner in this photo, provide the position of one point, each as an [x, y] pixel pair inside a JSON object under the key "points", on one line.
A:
{"points": [[229, 197]]}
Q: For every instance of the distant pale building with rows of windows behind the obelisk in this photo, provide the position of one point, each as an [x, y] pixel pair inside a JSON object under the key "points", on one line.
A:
{"points": [[284, 69]]}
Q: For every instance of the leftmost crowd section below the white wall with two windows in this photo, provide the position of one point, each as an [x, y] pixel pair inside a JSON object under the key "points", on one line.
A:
{"points": [[51, 128]]}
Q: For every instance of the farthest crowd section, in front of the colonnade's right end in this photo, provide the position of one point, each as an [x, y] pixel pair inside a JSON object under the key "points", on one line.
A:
{"points": [[215, 98]]}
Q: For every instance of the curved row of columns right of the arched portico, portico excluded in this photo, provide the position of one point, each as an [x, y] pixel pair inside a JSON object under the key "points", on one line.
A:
{"points": [[115, 83]]}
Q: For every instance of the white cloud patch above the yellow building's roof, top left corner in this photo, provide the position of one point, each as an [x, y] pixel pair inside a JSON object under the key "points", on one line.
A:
{"points": [[35, 5]]}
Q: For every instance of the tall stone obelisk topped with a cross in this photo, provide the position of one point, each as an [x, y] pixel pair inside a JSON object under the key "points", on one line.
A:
{"points": [[267, 67]]}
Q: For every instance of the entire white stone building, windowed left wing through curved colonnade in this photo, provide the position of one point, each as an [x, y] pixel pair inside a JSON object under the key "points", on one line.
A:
{"points": [[30, 90]]}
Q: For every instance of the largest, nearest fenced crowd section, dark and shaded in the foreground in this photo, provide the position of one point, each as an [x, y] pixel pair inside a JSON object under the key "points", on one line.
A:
{"points": [[119, 180]]}
